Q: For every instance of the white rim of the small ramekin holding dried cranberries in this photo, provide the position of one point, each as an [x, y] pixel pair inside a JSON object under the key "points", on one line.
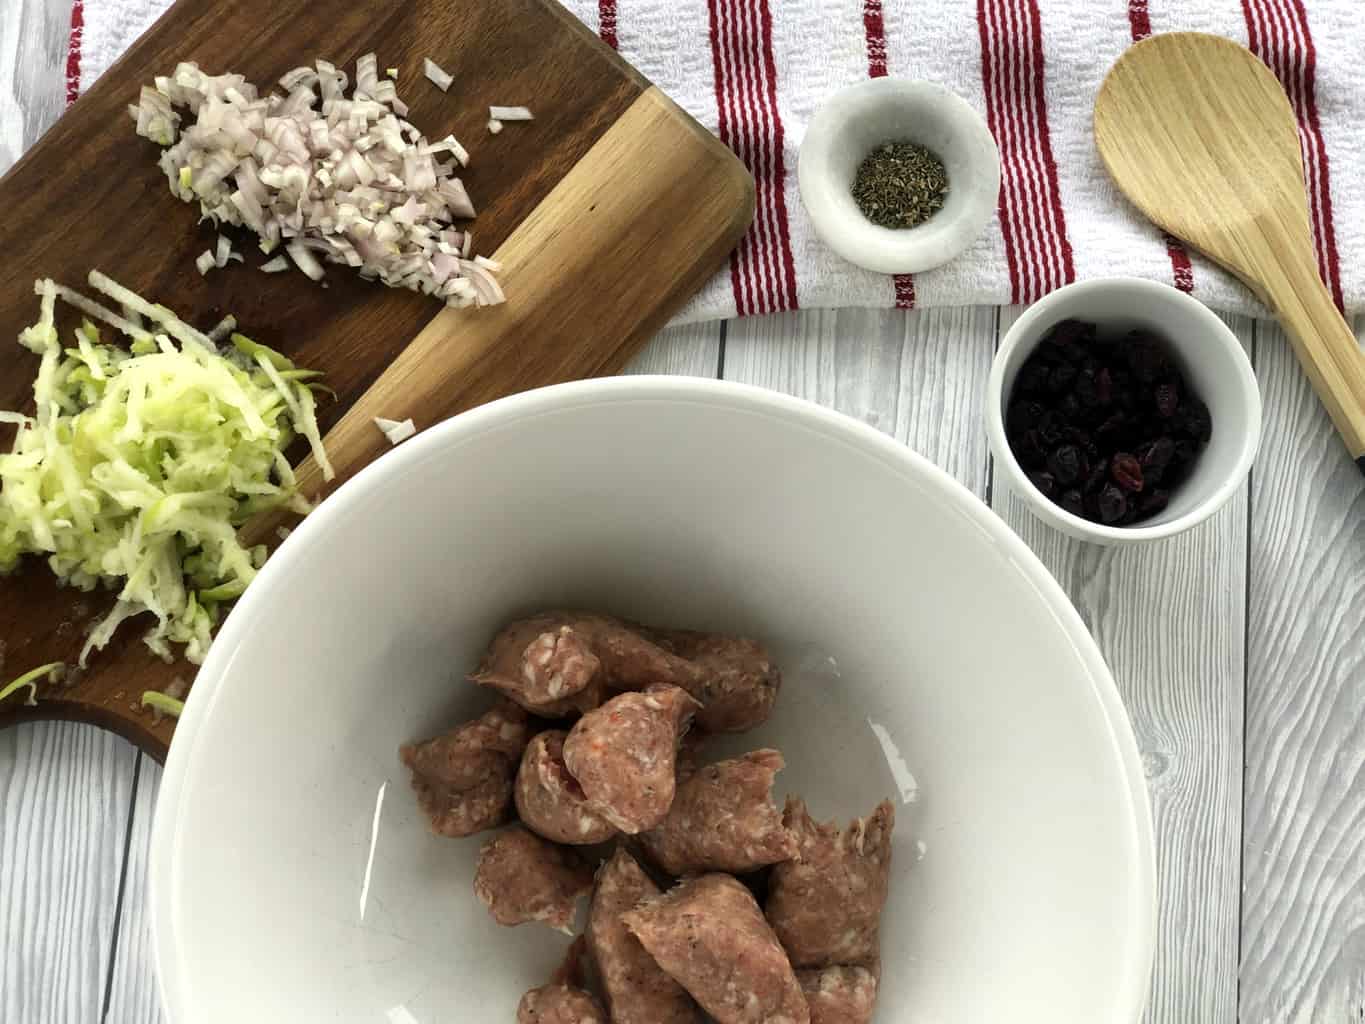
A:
{"points": [[1235, 474]]}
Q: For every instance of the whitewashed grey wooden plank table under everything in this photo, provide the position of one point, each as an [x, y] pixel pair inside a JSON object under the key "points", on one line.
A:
{"points": [[1240, 649]]}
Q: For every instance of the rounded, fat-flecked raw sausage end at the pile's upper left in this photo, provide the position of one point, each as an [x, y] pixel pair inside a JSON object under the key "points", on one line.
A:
{"points": [[545, 666]]}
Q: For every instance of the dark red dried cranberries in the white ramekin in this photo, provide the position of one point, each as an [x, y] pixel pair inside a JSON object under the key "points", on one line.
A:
{"points": [[1105, 427]]}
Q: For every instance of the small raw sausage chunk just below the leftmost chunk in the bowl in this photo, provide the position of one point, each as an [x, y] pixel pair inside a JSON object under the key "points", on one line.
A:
{"points": [[523, 879]]}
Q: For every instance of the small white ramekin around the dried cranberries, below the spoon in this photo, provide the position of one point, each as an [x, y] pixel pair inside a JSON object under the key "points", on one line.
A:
{"points": [[1209, 356]]}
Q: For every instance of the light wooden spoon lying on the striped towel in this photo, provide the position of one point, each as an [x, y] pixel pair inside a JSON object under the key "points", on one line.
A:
{"points": [[1201, 136]]}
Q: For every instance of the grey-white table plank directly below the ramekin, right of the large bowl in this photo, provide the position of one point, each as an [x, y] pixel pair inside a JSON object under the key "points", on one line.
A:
{"points": [[1170, 621]]}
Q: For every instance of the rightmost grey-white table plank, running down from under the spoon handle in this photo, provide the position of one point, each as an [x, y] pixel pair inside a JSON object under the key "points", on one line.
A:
{"points": [[1304, 902]]}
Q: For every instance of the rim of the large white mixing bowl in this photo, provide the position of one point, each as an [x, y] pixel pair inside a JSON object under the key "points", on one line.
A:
{"points": [[181, 761]]}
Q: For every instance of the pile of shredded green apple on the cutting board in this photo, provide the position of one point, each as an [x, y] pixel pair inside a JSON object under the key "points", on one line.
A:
{"points": [[140, 464]]}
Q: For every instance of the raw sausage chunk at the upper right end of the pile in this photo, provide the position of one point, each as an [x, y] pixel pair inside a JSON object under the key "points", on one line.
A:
{"points": [[732, 677]]}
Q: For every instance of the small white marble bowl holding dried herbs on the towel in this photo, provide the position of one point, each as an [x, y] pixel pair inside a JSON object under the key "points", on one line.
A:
{"points": [[858, 119]]}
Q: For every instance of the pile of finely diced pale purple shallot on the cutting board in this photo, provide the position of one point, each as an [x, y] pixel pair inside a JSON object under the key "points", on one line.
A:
{"points": [[327, 177]]}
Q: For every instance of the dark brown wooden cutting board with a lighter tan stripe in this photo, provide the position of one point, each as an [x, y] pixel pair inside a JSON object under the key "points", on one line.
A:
{"points": [[608, 212]]}
